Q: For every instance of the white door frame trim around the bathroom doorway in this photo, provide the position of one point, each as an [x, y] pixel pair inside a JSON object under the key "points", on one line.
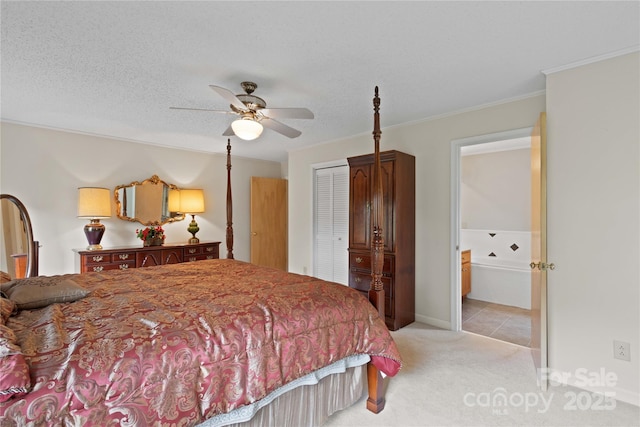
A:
{"points": [[454, 252]]}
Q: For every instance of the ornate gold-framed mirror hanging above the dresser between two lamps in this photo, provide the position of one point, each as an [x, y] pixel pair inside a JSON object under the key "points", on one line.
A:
{"points": [[150, 202]]}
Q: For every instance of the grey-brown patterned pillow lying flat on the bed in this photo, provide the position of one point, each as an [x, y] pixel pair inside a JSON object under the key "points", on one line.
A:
{"points": [[41, 291]]}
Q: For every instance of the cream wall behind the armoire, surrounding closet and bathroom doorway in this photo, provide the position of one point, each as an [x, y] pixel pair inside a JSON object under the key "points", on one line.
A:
{"points": [[430, 142]]}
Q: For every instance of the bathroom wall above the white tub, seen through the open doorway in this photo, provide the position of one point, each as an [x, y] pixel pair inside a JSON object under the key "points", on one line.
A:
{"points": [[495, 190]]}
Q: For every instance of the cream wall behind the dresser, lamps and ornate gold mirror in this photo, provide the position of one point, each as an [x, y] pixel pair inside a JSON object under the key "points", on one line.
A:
{"points": [[44, 168]]}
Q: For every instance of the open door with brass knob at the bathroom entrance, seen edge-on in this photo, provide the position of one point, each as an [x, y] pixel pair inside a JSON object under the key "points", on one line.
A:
{"points": [[539, 250]]}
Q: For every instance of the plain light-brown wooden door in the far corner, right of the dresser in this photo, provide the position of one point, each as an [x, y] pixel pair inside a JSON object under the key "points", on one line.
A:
{"points": [[269, 222]]}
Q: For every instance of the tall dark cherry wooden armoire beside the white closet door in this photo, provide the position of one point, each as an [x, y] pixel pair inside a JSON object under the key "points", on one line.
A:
{"points": [[398, 273]]}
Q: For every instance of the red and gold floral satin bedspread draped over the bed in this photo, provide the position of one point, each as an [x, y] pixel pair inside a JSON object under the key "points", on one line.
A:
{"points": [[177, 344]]}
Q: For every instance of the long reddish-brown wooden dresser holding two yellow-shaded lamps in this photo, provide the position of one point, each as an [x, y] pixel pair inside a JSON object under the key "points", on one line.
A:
{"points": [[138, 256]]}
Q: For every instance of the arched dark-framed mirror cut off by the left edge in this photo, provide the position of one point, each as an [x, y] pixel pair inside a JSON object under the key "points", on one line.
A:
{"points": [[19, 250]]}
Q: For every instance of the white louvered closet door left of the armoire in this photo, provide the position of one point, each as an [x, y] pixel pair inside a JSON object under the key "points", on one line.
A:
{"points": [[331, 224]]}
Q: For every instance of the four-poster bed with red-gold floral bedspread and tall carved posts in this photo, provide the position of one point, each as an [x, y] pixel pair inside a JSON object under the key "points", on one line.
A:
{"points": [[213, 342]]}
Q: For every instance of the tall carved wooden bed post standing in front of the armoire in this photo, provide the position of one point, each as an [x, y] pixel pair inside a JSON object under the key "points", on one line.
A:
{"points": [[375, 402]]}
